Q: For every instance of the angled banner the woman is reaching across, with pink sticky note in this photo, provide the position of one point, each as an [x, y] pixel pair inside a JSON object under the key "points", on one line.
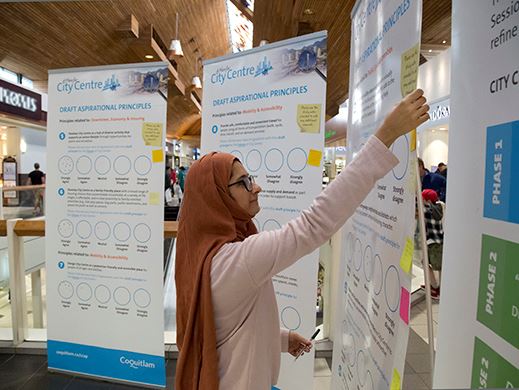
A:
{"points": [[372, 313]]}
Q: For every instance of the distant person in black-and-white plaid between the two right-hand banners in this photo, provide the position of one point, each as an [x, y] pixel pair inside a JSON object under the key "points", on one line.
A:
{"points": [[433, 216]]}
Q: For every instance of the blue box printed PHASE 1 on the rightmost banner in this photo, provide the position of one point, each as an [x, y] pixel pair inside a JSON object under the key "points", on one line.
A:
{"points": [[502, 172]]}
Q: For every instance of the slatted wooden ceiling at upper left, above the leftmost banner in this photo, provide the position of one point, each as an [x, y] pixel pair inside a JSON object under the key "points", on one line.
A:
{"points": [[38, 36]]}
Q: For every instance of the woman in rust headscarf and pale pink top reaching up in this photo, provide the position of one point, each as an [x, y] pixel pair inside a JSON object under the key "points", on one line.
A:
{"points": [[228, 331]]}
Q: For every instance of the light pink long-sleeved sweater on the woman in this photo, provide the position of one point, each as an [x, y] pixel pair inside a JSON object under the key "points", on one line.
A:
{"points": [[249, 339]]}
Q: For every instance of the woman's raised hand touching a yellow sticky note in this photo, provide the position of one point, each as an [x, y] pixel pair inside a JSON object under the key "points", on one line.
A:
{"points": [[407, 115]]}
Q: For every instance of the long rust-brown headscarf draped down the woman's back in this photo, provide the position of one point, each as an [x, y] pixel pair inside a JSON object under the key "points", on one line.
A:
{"points": [[209, 218]]}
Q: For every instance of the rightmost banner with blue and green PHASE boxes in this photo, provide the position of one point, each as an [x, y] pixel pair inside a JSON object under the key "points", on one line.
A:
{"points": [[478, 339]]}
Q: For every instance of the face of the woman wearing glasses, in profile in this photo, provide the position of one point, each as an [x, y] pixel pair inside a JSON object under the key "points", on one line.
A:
{"points": [[248, 200]]}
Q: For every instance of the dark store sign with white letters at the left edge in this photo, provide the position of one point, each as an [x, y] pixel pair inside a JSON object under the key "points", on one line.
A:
{"points": [[19, 101]]}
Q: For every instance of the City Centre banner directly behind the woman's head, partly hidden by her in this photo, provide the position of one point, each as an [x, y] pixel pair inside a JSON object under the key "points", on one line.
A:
{"points": [[267, 107]]}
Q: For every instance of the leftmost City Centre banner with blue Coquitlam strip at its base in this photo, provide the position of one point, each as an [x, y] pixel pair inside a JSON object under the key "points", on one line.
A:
{"points": [[104, 225]]}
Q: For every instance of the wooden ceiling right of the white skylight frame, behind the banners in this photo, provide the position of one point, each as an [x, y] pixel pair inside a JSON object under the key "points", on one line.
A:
{"points": [[275, 20]]}
